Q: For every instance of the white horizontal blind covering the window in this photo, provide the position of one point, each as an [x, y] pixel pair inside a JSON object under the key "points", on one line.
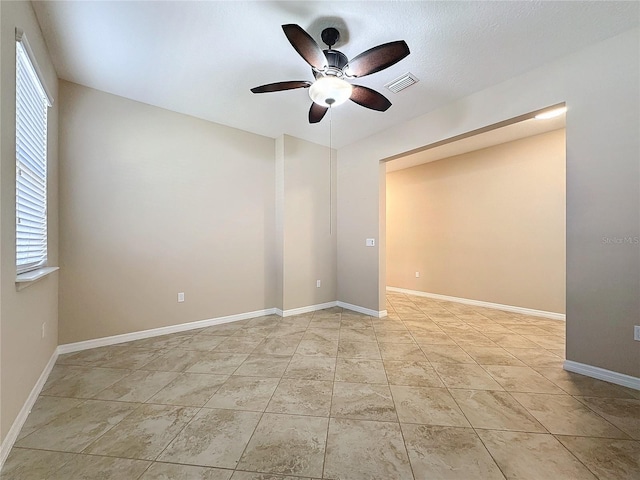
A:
{"points": [[31, 165]]}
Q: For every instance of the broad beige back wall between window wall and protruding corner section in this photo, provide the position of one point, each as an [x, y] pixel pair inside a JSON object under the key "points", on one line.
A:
{"points": [[154, 203]]}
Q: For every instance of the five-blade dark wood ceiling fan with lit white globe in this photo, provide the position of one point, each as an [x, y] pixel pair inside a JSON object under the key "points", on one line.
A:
{"points": [[331, 67]]}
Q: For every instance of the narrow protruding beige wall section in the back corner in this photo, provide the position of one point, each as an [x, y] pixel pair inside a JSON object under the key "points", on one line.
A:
{"points": [[308, 203]]}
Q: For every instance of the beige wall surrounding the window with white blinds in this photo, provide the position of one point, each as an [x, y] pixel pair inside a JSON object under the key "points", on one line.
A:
{"points": [[23, 352]]}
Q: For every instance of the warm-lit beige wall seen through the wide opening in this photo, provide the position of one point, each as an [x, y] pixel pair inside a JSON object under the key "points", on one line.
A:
{"points": [[487, 225]]}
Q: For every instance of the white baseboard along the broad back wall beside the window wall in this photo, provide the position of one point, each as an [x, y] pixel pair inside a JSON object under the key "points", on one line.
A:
{"points": [[155, 332]]}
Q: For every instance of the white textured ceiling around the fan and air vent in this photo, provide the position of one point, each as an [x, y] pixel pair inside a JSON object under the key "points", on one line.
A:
{"points": [[202, 57]]}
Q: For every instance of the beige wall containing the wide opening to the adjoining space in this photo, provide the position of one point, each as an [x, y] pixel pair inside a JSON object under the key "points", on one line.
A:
{"points": [[601, 88]]}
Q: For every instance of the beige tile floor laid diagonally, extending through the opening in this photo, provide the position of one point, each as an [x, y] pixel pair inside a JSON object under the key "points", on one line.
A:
{"points": [[436, 390]]}
